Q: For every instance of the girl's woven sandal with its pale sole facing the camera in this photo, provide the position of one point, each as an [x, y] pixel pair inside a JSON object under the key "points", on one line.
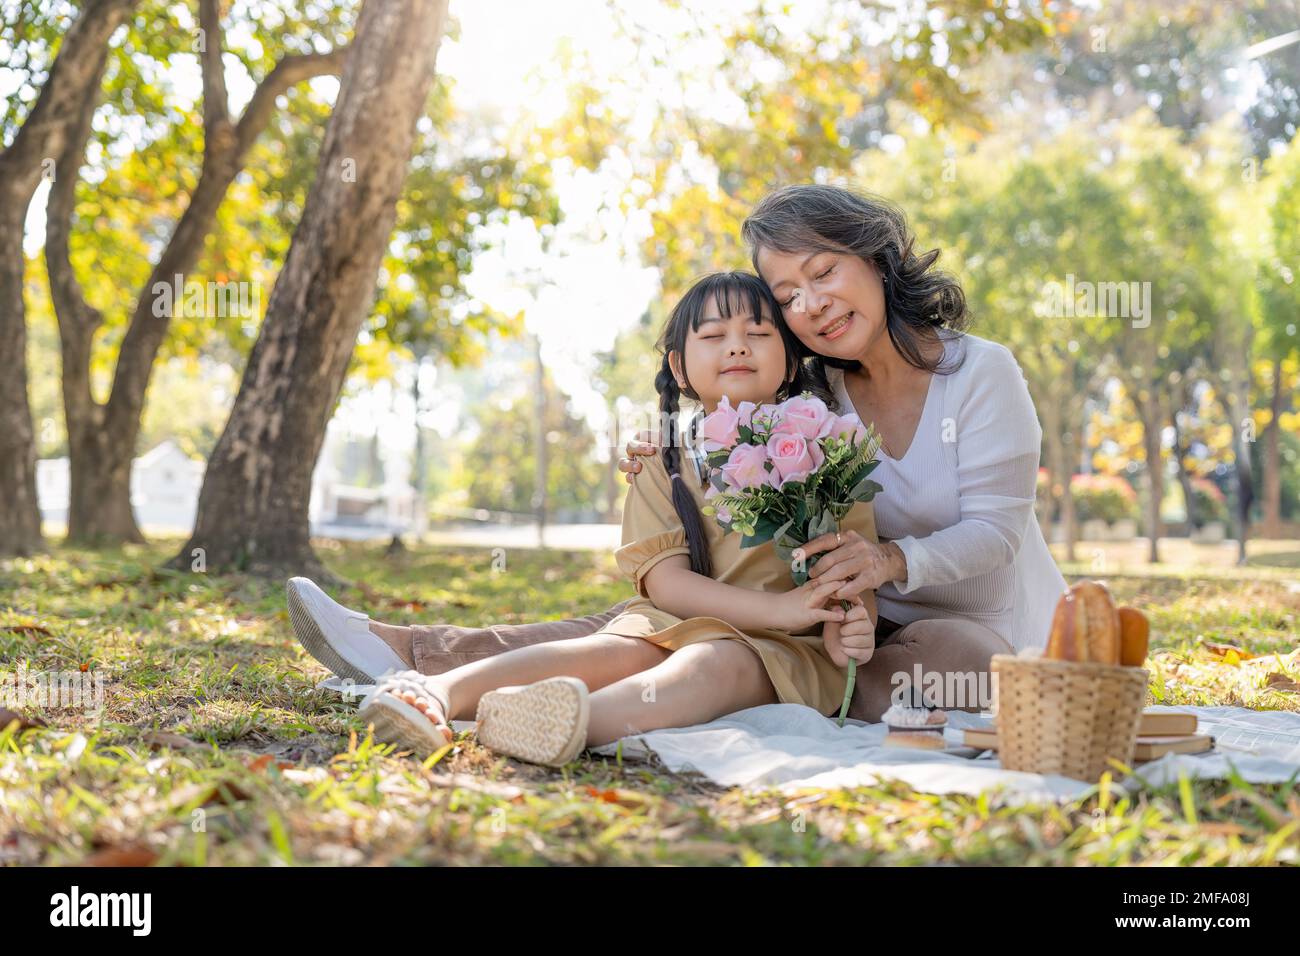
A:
{"points": [[544, 723]]}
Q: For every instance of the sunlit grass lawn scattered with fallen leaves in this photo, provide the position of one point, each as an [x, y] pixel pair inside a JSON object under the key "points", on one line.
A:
{"points": [[216, 749]]}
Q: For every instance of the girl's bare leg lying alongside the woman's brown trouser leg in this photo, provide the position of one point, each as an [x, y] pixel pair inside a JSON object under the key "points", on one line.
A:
{"points": [[599, 661]]}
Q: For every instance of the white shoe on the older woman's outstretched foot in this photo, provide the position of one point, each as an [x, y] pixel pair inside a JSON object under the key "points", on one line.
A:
{"points": [[337, 637]]}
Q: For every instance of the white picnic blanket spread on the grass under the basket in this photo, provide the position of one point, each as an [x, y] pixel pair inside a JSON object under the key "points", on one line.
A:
{"points": [[792, 747]]}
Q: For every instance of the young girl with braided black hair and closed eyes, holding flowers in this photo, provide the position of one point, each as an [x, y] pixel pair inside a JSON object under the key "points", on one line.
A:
{"points": [[717, 629]]}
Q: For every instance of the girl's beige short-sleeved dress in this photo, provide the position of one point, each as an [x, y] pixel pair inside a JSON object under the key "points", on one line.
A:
{"points": [[798, 664]]}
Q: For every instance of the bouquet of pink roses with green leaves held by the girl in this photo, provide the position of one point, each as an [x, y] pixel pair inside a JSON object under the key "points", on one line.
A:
{"points": [[787, 474]]}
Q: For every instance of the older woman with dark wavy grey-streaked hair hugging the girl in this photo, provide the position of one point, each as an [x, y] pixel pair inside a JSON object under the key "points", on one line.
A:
{"points": [[961, 570]]}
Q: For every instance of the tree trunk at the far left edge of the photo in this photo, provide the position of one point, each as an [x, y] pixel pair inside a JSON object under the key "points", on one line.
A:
{"points": [[44, 136]]}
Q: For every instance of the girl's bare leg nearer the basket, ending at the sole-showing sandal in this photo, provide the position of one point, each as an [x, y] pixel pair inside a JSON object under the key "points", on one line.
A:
{"points": [[695, 685]]}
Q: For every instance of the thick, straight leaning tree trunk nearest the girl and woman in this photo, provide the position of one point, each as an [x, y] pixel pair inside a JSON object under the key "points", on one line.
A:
{"points": [[254, 505]]}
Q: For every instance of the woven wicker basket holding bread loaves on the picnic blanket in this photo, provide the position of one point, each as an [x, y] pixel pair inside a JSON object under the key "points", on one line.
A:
{"points": [[1065, 717]]}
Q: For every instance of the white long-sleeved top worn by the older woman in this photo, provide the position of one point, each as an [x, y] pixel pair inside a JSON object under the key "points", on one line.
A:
{"points": [[960, 504]]}
